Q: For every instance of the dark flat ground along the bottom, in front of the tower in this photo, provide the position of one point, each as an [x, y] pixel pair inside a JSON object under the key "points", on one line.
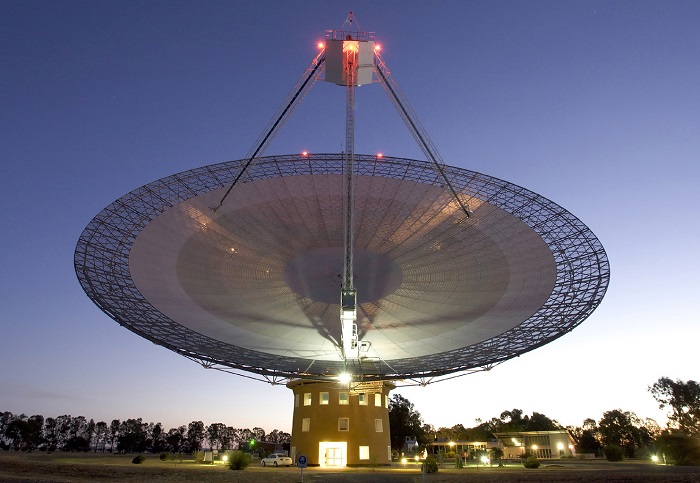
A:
{"points": [[70, 467]]}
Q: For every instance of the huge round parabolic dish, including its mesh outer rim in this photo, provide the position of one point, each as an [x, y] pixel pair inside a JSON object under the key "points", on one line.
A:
{"points": [[255, 285]]}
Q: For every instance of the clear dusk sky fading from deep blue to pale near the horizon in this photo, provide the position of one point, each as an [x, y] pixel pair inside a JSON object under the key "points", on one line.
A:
{"points": [[595, 105]]}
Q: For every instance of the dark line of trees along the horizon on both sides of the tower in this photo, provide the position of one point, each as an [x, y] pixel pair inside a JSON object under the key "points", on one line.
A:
{"points": [[623, 429]]}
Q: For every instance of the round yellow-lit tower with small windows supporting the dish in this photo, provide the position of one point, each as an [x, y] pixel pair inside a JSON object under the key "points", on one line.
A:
{"points": [[338, 424]]}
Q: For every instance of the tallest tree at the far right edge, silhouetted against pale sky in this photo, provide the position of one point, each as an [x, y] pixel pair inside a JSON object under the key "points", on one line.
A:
{"points": [[683, 398]]}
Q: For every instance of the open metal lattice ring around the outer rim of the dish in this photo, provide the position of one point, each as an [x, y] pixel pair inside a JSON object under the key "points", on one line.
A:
{"points": [[102, 263]]}
